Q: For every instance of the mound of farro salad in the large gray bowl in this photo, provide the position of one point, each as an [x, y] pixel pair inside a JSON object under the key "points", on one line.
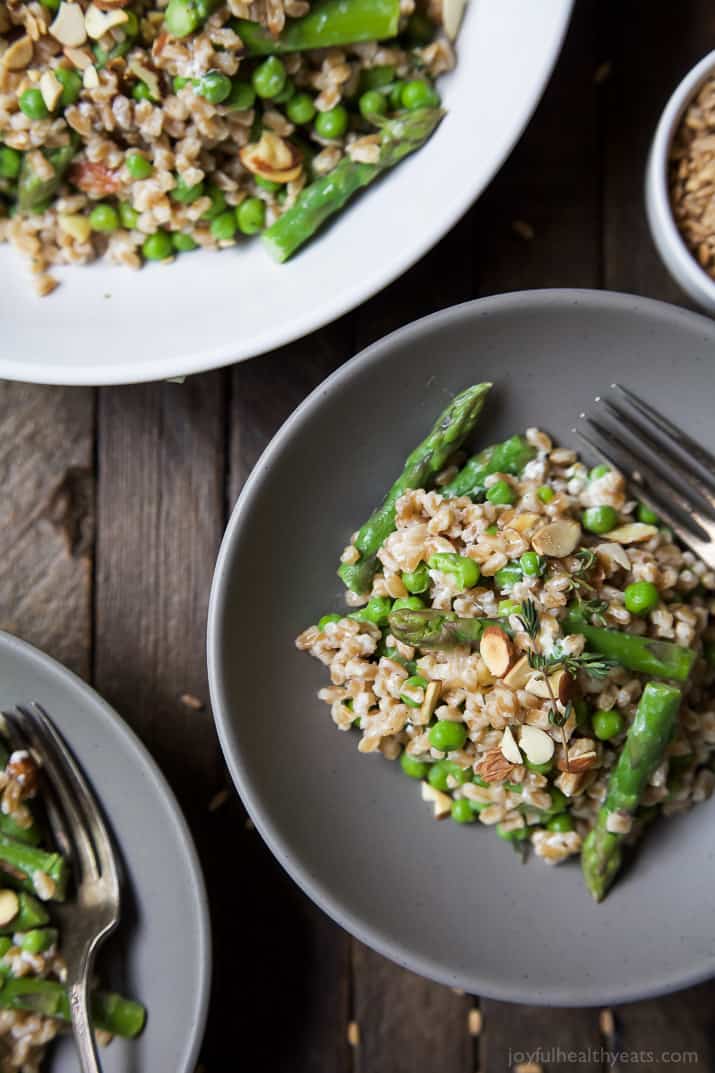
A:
{"points": [[531, 643]]}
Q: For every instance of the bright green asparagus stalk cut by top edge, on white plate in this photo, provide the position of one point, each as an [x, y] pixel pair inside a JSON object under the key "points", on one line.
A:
{"points": [[329, 24]]}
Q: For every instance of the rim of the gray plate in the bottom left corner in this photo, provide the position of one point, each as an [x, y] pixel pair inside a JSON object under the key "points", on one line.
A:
{"points": [[144, 766]]}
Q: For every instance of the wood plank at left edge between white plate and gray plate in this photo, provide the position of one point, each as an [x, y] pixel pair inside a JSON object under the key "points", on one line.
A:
{"points": [[48, 519]]}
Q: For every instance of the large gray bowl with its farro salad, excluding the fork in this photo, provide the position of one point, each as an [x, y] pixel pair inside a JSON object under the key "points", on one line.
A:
{"points": [[504, 637]]}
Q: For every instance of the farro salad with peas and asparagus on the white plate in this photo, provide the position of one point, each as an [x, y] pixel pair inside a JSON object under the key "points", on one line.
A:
{"points": [[144, 130]]}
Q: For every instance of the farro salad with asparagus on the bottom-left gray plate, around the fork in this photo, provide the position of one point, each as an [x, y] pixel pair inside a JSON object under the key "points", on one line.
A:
{"points": [[35, 1006]]}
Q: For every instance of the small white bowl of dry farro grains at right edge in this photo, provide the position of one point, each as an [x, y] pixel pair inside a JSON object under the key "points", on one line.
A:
{"points": [[680, 185]]}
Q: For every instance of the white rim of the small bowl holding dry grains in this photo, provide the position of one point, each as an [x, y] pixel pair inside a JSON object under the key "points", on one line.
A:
{"points": [[665, 231]]}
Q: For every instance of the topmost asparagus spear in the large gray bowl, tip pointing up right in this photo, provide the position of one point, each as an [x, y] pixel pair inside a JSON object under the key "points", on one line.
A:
{"points": [[454, 427]]}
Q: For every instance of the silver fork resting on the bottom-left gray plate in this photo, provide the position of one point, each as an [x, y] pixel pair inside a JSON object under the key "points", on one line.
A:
{"points": [[82, 835]]}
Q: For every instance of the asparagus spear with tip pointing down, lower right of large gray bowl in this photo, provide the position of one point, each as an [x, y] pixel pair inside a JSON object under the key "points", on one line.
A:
{"points": [[644, 751]]}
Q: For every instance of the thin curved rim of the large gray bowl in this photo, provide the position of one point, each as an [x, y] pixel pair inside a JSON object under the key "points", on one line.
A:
{"points": [[546, 299]]}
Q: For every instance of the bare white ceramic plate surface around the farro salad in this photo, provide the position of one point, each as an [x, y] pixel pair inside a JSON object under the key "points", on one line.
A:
{"points": [[110, 326]]}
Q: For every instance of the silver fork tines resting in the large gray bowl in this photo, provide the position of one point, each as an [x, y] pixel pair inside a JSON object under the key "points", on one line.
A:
{"points": [[675, 475]]}
